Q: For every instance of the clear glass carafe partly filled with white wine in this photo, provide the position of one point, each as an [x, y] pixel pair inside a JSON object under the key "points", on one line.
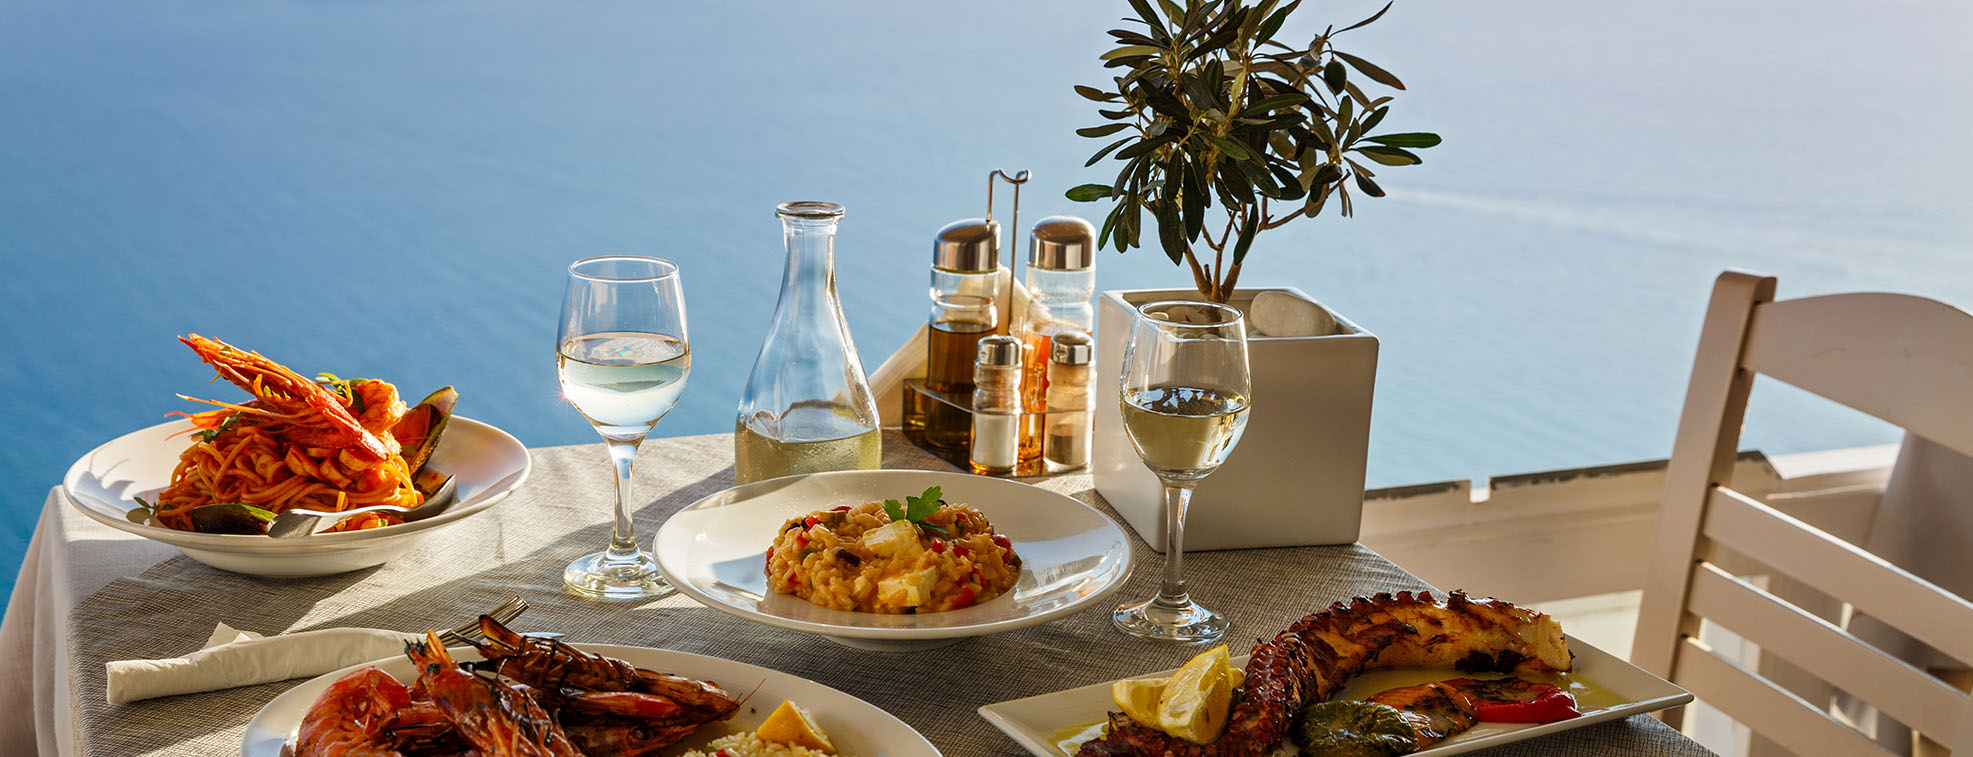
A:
{"points": [[808, 405]]}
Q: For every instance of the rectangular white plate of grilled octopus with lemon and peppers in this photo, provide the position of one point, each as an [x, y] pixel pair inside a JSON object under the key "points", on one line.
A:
{"points": [[1388, 675]]}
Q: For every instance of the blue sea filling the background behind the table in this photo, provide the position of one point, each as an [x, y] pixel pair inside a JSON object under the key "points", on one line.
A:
{"points": [[396, 190]]}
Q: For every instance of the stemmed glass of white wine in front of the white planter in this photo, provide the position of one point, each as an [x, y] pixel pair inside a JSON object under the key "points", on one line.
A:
{"points": [[1185, 395]]}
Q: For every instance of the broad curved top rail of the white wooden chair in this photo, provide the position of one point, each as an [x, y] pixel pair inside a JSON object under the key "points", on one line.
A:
{"points": [[1893, 356]]}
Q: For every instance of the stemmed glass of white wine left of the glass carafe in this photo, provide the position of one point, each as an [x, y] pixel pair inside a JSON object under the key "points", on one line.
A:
{"points": [[622, 354]]}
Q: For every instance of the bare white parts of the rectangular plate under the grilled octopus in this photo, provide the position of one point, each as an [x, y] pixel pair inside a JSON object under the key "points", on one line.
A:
{"points": [[1039, 723]]}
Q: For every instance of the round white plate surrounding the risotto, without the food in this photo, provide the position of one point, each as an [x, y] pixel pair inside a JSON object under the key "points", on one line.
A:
{"points": [[1072, 557]]}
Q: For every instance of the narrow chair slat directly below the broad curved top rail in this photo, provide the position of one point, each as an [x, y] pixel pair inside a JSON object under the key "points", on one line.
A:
{"points": [[1842, 571]]}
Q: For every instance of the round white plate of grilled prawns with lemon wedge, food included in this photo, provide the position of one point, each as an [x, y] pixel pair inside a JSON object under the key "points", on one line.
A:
{"points": [[526, 695]]}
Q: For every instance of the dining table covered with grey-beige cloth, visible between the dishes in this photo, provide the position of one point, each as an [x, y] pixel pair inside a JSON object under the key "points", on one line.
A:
{"points": [[90, 594]]}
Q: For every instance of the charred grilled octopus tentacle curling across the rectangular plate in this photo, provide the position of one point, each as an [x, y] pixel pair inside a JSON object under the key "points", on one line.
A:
{"points": [[1317, 655]]}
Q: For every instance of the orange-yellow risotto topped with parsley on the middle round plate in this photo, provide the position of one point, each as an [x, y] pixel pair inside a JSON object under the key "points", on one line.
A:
{"points": [[924, 557]]}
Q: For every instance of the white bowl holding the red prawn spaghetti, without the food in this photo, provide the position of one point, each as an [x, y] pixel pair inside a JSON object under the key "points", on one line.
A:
{"points": [[486, 462]]}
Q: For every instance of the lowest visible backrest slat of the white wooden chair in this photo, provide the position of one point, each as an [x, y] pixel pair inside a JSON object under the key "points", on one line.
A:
{"points": [[1767, 709]]}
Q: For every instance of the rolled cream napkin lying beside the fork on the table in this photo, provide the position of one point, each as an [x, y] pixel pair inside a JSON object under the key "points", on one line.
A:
{"points": [[236, 657]]}
